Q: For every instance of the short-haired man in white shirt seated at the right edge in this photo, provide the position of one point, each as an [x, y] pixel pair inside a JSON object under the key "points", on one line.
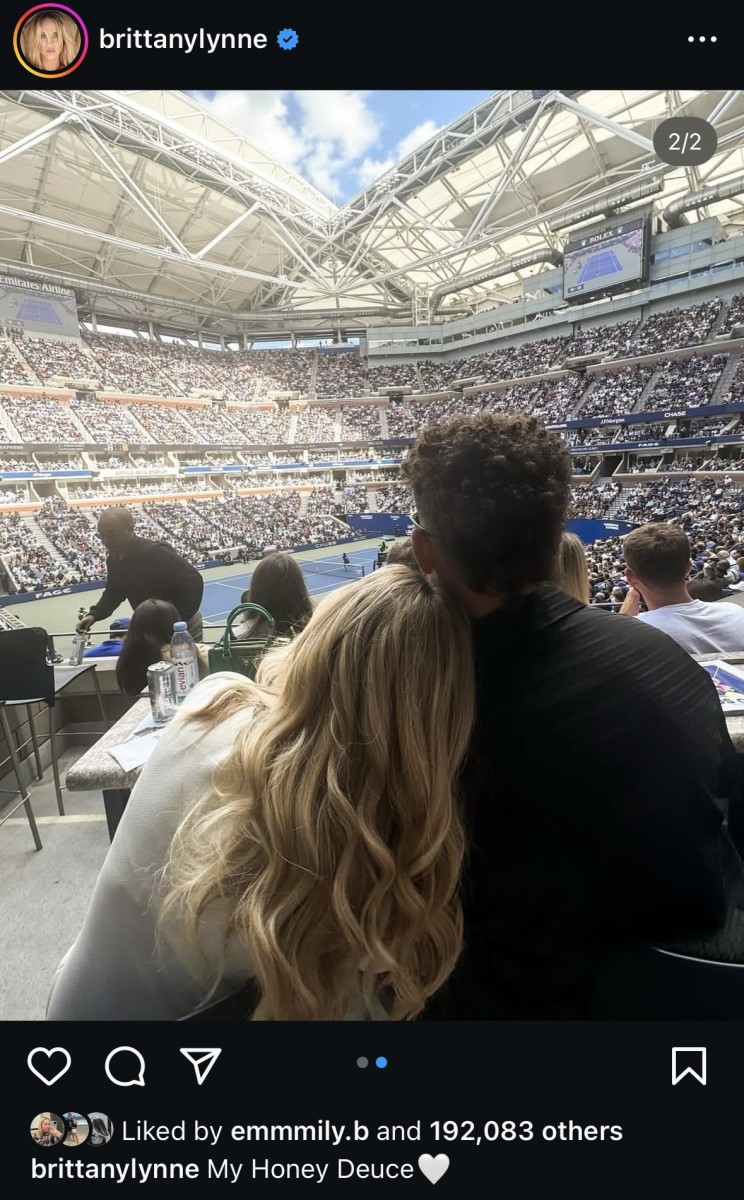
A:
{"points": [[657, 567]]}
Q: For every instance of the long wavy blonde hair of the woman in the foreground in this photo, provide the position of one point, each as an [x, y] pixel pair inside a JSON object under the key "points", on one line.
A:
{"points": [[334, 833]]}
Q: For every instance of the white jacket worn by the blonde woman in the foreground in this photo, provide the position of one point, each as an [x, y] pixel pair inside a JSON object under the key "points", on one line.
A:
{"points": [[112, 971]]}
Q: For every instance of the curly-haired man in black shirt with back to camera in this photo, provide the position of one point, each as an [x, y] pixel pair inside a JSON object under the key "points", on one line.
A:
{"points": [[560, 873]]}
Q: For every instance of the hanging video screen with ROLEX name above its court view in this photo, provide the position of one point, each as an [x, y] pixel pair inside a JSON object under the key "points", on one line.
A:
{"points": [[607, 260]]}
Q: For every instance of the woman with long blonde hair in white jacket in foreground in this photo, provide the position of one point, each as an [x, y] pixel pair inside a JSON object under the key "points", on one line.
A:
{"points": [[302, 832]]}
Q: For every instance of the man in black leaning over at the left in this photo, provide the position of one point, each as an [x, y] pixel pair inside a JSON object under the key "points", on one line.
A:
{"points": [[139, 569]]}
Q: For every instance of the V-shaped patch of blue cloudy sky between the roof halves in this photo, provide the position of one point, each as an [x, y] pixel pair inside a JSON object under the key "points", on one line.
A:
{"points": [[340, 141]]}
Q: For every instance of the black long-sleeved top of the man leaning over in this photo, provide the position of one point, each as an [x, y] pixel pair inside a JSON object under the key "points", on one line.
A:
{"points": [[151, 571]]}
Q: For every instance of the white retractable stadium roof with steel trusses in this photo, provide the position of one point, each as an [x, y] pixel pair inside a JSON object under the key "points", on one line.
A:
{"points": [[153, 209]]}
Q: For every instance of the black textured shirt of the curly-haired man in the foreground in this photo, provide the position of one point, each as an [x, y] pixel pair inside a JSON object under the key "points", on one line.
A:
{"points": [[596, 800]]}
